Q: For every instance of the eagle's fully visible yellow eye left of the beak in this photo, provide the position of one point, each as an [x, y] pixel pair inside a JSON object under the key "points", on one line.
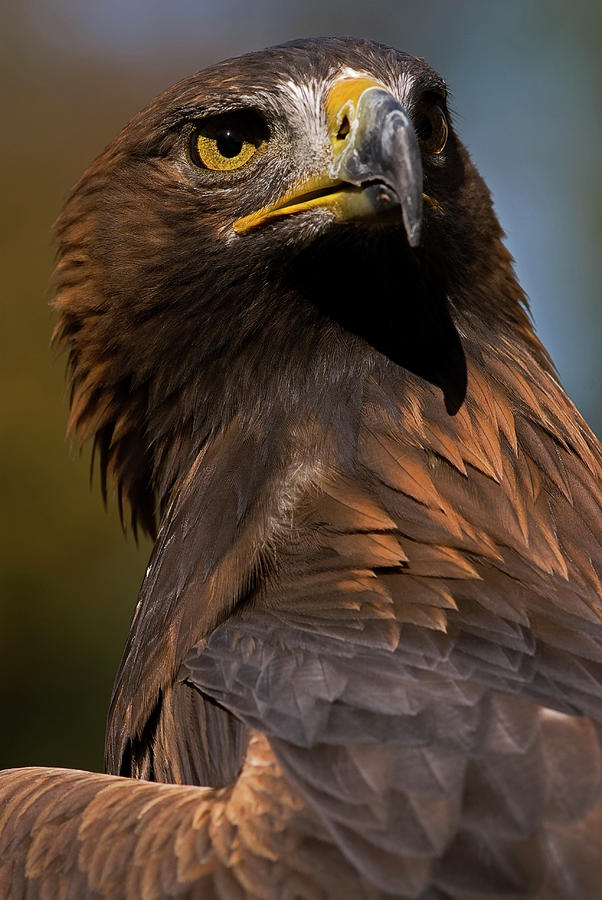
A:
{"points": [[227, 141]]}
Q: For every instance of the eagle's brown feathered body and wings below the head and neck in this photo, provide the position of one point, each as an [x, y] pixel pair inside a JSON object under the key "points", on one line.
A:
{"points": [[411, 619]]}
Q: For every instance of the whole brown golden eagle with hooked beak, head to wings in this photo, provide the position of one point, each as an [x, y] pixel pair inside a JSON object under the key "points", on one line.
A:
{"points": [[366, 660]]}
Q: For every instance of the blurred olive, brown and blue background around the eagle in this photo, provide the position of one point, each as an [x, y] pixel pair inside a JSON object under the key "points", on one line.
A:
{"points": [[526, 81]]}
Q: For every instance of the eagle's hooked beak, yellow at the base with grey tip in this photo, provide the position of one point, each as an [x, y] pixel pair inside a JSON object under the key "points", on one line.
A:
{"points": [[375, 167]]}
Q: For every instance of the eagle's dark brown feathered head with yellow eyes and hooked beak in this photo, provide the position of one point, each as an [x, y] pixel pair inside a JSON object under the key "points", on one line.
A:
{"points": [[260, 237]]}
